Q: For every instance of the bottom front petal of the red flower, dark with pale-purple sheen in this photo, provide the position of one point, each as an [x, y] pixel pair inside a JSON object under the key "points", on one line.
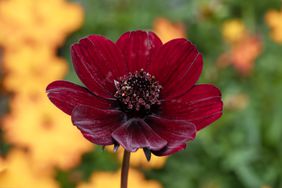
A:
{"points": [[135, 134]]}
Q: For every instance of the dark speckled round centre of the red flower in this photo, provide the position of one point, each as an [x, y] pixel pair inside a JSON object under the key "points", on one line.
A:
{"points": [[138, 92]]}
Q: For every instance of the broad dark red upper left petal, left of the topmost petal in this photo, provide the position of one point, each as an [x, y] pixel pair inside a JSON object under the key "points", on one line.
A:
{"points": [[98, 62]]}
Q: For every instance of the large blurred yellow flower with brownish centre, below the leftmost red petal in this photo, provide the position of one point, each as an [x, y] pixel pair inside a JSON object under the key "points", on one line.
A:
{"points": [[47, 133]]}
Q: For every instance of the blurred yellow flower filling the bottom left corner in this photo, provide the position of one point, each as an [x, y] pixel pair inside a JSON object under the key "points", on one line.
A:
{"points": [[19, 173]]}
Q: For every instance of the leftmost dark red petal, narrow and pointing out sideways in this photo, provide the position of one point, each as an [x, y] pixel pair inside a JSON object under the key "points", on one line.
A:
{"points": [[66, 95]]}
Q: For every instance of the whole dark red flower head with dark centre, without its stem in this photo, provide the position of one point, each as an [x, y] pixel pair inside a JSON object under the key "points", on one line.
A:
{"points": [[139, 92]]}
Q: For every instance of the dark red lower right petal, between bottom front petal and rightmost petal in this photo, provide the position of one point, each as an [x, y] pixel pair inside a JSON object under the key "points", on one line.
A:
{"points": [[176, 132]]}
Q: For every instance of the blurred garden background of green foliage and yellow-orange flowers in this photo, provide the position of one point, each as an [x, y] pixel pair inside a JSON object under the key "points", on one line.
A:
{"points": [[241, 42]]}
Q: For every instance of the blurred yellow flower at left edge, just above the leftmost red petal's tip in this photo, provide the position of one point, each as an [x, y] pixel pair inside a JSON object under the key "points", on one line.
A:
{"points": [[29, 70]]}
